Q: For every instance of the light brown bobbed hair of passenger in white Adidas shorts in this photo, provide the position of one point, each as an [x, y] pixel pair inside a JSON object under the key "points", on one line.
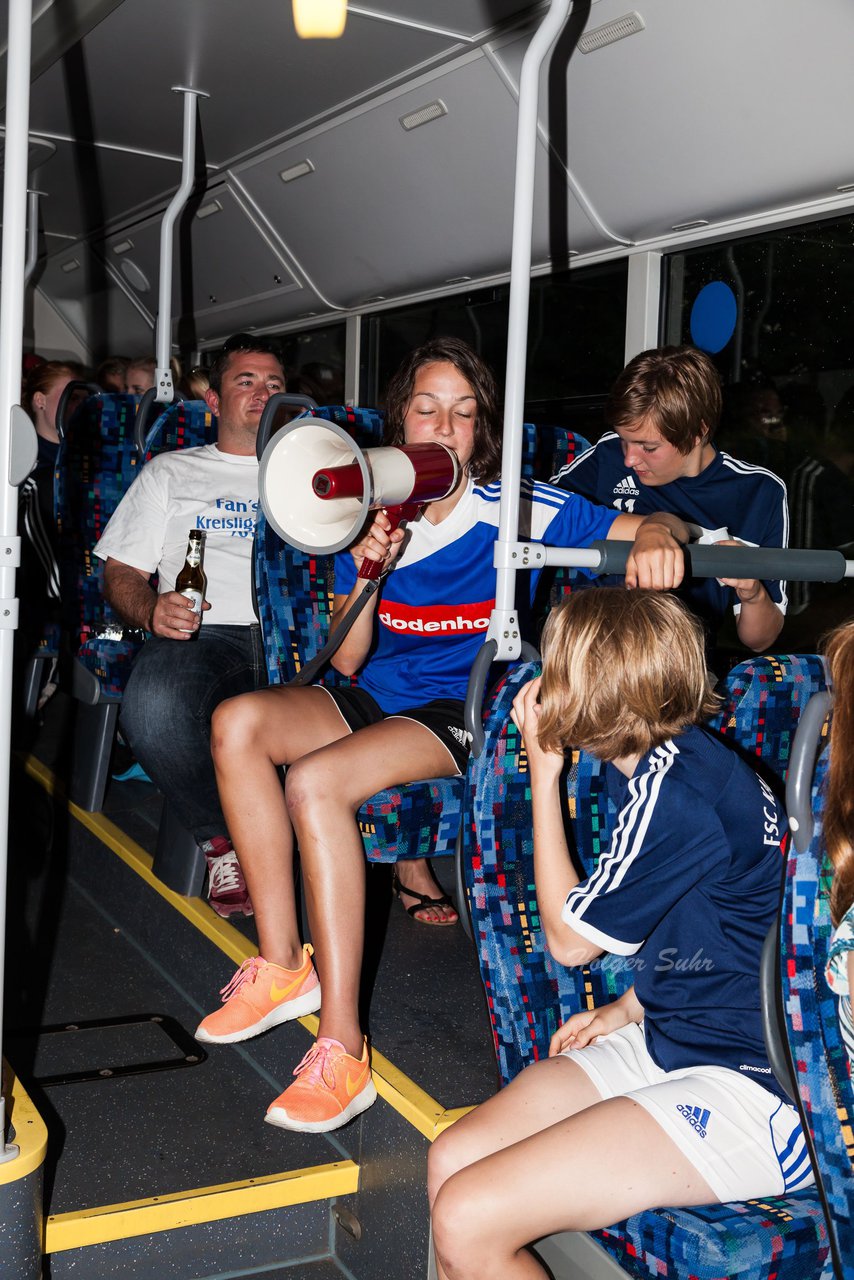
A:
{"points": [[623, 673]]}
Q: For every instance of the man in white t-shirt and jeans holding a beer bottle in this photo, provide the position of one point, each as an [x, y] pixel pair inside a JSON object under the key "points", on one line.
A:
{"points": [[175, 685]]}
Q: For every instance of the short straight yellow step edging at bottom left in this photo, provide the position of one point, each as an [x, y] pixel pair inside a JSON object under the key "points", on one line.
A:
{"points": [[200, 1205]]}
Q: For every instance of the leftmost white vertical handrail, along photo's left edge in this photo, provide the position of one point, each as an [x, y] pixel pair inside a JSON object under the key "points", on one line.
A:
{"points": [[12, 313]]}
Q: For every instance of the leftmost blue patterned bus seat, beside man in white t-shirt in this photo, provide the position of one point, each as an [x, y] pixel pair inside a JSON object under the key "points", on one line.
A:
{"points": [[98, 460]]}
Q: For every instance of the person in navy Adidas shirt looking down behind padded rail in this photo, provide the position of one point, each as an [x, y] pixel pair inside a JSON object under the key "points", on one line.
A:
{"points": [[665, 409]]}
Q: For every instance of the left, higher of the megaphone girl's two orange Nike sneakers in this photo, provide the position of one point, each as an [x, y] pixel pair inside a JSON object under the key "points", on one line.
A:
{"points": [[261, 996]]}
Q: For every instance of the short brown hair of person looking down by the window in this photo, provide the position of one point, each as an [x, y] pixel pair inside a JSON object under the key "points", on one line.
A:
{"points": [[677, 388]]}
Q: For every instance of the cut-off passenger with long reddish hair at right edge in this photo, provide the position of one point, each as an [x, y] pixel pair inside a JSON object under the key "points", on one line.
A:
{"points": [[839, 828]]}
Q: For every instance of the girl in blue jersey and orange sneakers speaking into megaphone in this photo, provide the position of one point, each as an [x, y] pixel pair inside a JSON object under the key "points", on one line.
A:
{"points": [[401, 725]]}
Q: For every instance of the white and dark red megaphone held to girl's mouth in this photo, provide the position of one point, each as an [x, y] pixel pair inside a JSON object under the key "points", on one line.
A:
{"points": [[317, 486]]}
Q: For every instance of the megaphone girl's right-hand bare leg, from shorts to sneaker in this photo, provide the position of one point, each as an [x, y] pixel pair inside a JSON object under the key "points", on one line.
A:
{"points": [[323, 794]]}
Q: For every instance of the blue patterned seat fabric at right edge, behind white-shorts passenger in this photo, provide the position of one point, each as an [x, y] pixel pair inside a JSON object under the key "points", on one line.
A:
{"points": [[812, 1023]]}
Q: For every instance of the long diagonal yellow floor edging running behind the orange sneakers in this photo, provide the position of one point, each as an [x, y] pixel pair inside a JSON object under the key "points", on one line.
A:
{"points": [[404, 1095]]}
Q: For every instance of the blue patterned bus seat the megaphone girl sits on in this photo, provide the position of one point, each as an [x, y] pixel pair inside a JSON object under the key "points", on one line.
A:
{"points": [[294, 592]]}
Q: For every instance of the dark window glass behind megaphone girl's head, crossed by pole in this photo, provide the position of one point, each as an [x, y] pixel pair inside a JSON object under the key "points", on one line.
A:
{"points": [[577, 335]]}
